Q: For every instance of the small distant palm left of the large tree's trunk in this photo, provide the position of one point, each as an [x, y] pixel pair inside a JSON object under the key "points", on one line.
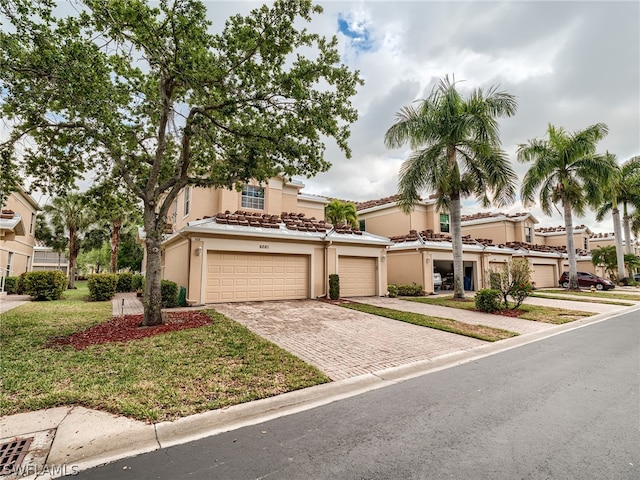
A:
{"points": [[70, 215]]}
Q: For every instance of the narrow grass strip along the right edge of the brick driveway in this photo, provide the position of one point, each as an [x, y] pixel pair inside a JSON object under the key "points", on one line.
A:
{"points": [[481, 332]]}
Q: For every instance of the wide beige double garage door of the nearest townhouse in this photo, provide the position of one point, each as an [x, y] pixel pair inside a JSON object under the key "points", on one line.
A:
{"points": [[241, 277]]}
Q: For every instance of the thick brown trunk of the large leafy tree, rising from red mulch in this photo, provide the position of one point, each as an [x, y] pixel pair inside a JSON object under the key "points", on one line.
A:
{"points": [[154, 228]]}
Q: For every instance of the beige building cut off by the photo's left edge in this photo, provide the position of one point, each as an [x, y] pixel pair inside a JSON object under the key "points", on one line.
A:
{"points": [[17, 228]]}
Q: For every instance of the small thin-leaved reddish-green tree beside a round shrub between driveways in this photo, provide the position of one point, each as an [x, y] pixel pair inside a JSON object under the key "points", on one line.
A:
{"points": [[513, 280]]}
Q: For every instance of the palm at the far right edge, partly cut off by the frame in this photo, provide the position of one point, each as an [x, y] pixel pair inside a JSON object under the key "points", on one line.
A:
{"points": [[624, 188]]}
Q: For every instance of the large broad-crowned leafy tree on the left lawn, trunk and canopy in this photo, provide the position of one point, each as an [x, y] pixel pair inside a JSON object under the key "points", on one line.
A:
{"points": [[152, 96]]}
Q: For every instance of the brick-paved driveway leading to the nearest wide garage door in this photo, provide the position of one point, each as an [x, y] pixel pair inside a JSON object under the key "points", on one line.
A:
{"points": [[343, 343]]}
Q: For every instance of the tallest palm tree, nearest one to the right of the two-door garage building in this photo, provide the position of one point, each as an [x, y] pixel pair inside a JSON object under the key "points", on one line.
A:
{"points": [[456, 153]]}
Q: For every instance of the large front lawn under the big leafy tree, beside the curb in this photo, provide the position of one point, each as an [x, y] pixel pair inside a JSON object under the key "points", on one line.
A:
{"points": [[157, 378]]}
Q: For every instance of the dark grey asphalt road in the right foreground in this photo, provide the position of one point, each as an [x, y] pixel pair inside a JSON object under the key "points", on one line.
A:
{"points": [[567, 407]]}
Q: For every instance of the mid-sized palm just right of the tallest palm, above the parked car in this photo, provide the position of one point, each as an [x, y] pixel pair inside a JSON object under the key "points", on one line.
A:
{"points": [[566, 170]]}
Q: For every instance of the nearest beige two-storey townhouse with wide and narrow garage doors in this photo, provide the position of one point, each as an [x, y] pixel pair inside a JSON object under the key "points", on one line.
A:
{"points": [[266, 242]]}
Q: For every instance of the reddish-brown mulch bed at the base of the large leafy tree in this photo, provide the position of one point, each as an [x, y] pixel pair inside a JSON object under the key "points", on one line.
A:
{"points": [[124, 329]]}
